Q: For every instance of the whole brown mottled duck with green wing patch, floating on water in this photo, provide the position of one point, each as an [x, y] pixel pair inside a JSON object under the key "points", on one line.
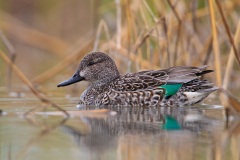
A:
{"points": [[175, 86]]}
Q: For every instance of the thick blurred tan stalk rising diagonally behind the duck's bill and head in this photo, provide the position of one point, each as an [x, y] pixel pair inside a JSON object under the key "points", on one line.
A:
{"points": [[73, 56]]}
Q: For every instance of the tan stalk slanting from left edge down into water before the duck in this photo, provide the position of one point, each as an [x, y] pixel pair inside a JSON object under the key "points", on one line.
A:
{"points": [[20, 74]]}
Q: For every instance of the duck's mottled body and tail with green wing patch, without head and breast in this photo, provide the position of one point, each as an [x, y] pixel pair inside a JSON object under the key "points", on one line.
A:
{"points": [[173, 86]]}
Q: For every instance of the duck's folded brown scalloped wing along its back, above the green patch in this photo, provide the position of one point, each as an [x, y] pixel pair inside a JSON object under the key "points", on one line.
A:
{"points": [[155, 78]]}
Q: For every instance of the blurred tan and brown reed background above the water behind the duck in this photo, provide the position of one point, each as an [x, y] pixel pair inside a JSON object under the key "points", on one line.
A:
{"points": [[46, 39]]}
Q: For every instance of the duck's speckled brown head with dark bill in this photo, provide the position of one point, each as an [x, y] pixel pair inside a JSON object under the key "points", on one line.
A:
{"points": [[94, 67]]}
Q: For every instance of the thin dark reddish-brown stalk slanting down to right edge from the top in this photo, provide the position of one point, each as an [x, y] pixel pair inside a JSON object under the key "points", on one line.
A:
{"points": [[228, 30]]}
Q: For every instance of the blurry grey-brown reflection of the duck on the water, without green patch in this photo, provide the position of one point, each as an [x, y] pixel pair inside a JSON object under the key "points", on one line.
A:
{"points": [[104, 134]]}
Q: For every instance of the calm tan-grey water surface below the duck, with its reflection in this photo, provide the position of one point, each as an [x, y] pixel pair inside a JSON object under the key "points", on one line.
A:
{"points": [[121, 133]]}
